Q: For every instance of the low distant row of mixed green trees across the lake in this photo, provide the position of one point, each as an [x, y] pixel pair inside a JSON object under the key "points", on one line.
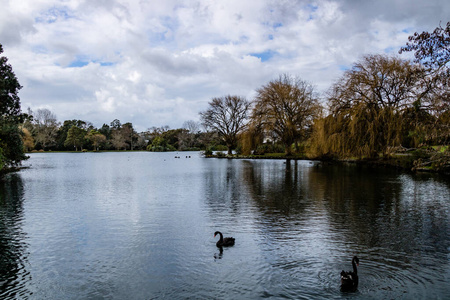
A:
{"points": [[42, 132]]}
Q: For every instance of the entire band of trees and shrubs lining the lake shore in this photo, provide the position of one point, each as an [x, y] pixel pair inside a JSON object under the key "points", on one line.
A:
{"points": [[384, 108]]}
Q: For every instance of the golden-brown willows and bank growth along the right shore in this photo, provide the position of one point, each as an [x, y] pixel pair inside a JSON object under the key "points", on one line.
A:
{"points": [[384, 109]]}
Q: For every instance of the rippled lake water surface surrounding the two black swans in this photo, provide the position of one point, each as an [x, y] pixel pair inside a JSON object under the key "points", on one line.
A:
{"points": [[141, 225]]}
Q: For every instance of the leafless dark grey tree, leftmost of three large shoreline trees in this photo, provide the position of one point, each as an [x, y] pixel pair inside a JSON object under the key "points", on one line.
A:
{"points": [[227, 115]]}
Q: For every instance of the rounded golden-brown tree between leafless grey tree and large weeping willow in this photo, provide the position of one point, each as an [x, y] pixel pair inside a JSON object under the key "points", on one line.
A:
{"points": [[286, 107]]}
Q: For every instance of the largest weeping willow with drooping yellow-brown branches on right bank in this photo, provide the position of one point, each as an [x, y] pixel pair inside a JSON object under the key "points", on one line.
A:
{"points": [[367, 108]]}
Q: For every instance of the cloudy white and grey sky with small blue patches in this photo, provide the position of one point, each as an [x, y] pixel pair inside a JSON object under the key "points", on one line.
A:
{"points": [[159, 62]]}
